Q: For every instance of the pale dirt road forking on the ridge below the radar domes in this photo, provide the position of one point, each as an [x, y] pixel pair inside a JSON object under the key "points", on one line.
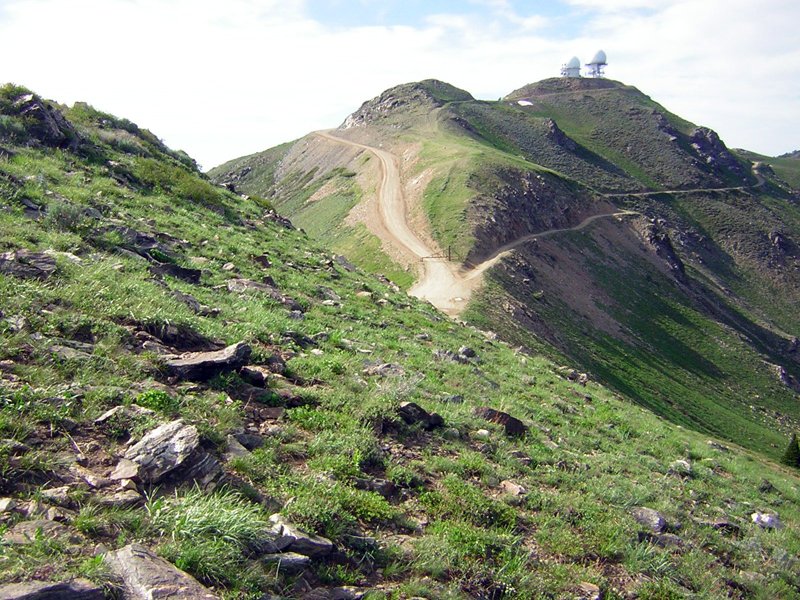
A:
{"points": [[446, 285]]}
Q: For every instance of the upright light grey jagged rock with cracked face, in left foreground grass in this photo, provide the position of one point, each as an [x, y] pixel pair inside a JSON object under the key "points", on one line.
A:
{"points": [[162, 450]]}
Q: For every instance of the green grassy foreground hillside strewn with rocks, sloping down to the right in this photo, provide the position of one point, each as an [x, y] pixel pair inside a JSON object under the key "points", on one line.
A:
{"points": [[139, 257]]}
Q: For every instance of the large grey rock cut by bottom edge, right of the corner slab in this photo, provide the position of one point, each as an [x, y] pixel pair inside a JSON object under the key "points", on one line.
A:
{"points": [[148, 577]]}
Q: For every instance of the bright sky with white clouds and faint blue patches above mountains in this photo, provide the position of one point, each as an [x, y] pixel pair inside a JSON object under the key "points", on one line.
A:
{"points": [[224, 79]]}
